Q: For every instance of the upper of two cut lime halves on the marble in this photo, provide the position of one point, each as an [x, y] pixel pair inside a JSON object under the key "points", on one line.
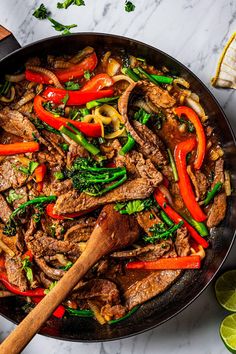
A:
{"points": [[225, 289]]}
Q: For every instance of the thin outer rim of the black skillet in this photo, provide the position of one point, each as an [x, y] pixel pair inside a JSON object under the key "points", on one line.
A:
{"points": [[97, 34]]}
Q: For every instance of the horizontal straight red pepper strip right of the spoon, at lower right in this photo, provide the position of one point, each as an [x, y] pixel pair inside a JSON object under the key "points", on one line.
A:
{"points": [[188, 262]]}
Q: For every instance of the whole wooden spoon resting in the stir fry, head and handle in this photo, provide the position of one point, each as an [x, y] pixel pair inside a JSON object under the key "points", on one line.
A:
{"points": [[112, 231]]}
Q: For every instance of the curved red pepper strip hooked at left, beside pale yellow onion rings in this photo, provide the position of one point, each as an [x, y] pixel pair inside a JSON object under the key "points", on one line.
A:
{"points": [[89, 129]]}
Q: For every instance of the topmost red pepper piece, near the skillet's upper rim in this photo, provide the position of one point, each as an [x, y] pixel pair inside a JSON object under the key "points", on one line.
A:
{"points": [[77, 71]]}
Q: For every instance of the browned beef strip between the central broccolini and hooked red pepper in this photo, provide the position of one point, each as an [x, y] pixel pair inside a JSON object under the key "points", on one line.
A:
{"points": [[150, 145]]}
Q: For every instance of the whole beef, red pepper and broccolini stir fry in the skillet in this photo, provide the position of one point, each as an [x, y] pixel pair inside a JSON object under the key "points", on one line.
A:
{"points": [[104, 129]]}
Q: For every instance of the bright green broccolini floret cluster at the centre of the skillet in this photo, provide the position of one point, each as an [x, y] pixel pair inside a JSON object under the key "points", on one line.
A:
{"points": [[89, 177]]}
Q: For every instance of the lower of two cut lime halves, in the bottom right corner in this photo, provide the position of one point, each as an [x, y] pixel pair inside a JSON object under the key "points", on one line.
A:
{"points": [[228, 332]]}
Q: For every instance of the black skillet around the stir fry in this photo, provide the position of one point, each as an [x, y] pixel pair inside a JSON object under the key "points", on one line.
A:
{"points": [[192, 283]]}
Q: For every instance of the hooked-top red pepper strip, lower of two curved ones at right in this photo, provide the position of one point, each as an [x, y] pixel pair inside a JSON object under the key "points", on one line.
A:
{"points": [[186, 191]]}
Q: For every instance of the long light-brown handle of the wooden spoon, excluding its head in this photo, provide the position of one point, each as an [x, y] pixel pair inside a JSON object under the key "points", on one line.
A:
{"points": [[25, 331]]}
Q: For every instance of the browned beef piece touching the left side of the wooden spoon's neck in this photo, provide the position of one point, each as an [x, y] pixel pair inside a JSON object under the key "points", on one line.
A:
{"points": [[42, 245]]}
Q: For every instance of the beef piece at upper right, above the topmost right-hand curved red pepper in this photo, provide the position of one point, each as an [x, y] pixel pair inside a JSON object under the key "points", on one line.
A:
{"points": [[157, 95]]}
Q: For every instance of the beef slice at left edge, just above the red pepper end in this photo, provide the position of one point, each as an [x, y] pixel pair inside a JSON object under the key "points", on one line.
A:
{"points": [[15, 123]]}
